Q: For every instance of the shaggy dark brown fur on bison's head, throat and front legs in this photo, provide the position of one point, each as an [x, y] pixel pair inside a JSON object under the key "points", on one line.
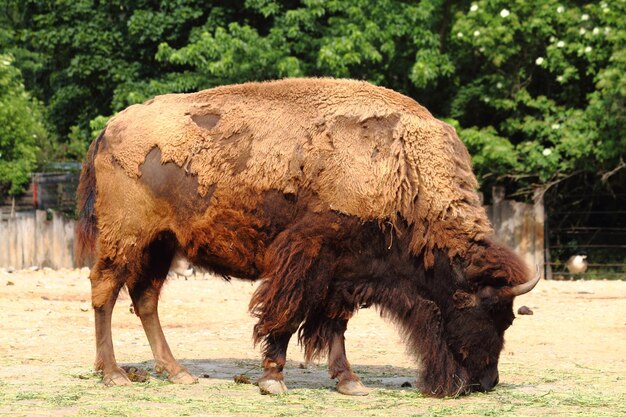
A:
{"points": [[457, 346]]}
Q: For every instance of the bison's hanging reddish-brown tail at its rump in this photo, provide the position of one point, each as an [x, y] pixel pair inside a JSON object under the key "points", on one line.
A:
{"points": [[86, 226]]}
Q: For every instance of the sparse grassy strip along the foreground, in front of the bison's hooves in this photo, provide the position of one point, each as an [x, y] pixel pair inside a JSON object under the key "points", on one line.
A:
{"points": [[571, 392]]}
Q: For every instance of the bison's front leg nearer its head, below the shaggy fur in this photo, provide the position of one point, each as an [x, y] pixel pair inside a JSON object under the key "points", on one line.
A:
{"points": [[348, 382]]}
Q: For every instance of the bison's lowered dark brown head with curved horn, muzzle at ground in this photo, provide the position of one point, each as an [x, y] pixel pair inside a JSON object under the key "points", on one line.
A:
{"points": [[474, 297]]}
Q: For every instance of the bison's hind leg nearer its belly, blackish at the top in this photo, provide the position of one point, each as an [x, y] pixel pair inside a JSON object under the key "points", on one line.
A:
{"points": [[144, 291]]}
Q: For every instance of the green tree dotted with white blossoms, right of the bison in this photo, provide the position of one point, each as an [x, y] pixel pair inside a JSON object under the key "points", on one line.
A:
{"points": [[544, 80]]}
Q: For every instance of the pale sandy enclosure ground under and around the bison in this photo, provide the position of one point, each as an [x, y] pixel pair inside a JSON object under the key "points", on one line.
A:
{"points": [[569, 358]]}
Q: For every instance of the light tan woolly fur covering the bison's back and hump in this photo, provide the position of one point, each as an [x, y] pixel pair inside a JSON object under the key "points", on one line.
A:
{"points": [[363, 150]]}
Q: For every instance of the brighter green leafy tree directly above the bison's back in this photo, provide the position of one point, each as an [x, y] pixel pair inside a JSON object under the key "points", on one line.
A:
{"points": [[387, 42]]}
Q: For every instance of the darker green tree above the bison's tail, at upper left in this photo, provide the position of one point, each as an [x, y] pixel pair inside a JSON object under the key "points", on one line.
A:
{"points": [[81, 51]]}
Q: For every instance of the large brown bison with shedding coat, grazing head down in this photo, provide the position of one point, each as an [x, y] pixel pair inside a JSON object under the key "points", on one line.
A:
{"points": [[336, 194]]}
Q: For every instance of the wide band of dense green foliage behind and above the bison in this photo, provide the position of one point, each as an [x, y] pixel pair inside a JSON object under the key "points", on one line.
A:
{"points": [[536, 89]]}
